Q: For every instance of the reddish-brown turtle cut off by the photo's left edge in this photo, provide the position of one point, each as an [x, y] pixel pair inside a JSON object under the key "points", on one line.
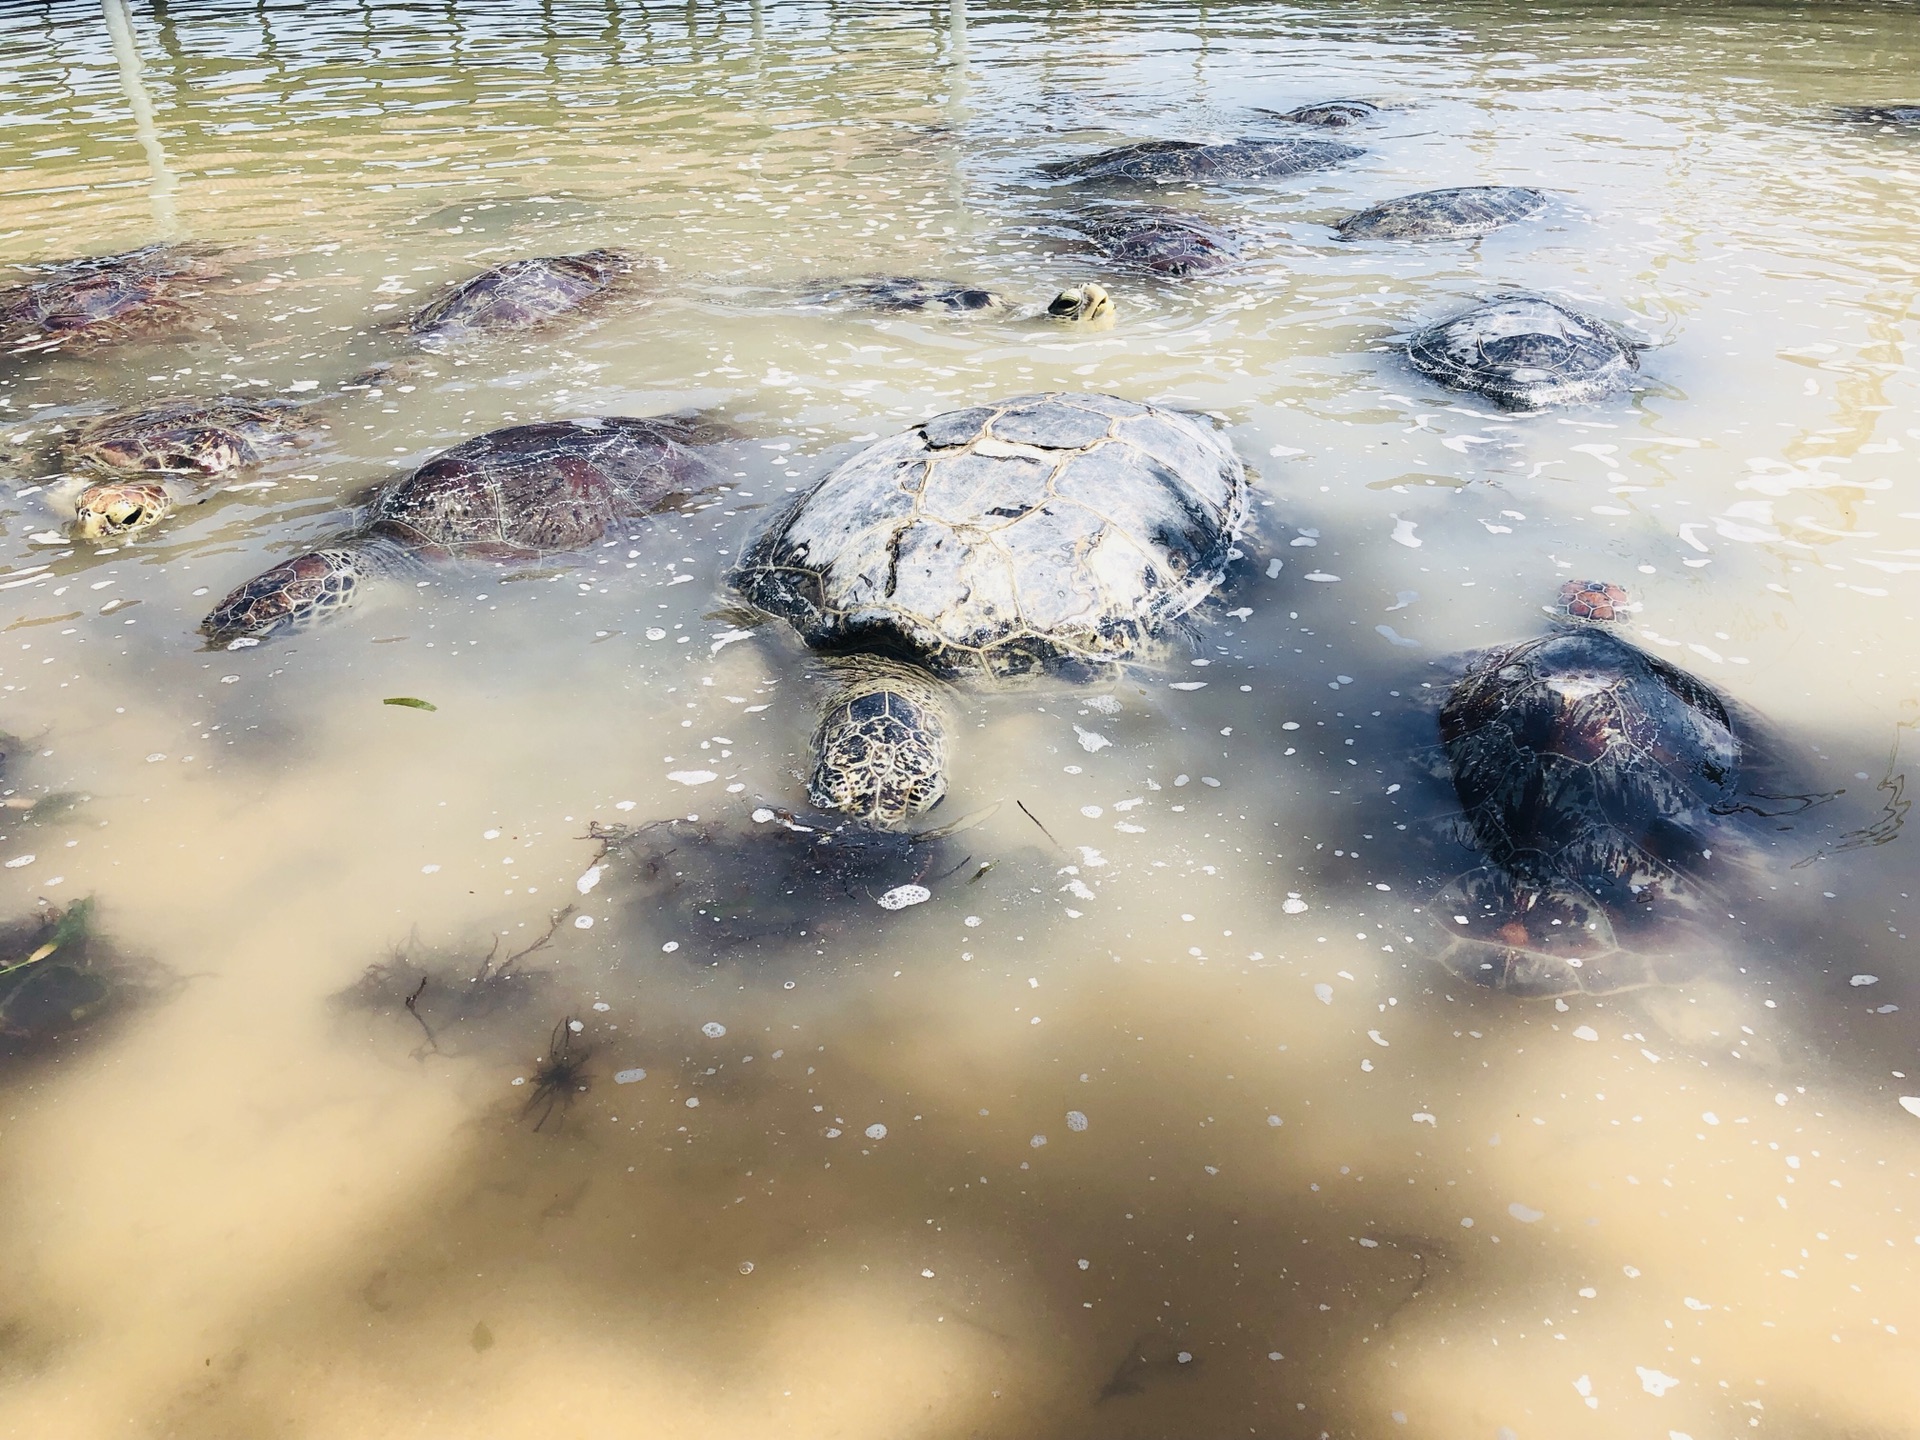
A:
{"points": [[105, 299]]}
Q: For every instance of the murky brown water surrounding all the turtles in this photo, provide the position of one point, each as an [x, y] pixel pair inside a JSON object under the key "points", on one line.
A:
{"points": [[1186, 1130]]}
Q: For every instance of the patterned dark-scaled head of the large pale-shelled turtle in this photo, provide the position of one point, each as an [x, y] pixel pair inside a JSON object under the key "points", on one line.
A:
{"points": [[880, 754]]}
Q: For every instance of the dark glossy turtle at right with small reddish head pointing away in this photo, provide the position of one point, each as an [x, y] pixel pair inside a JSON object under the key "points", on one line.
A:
{"points": [[1598, 782]]}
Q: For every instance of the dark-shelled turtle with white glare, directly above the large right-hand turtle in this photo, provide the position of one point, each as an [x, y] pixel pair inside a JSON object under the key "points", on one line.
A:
{"points": [[1527, 352]]}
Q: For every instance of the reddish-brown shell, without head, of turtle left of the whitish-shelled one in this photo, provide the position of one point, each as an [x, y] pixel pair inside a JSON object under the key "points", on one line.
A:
{"points": [[542, 489]]}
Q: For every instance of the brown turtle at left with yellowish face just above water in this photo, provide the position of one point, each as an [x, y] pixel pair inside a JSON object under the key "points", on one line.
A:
{"points": [[158, 454]]}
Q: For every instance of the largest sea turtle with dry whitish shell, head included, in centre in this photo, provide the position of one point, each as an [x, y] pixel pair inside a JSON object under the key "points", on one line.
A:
{"points": [[1055, 533]]}
